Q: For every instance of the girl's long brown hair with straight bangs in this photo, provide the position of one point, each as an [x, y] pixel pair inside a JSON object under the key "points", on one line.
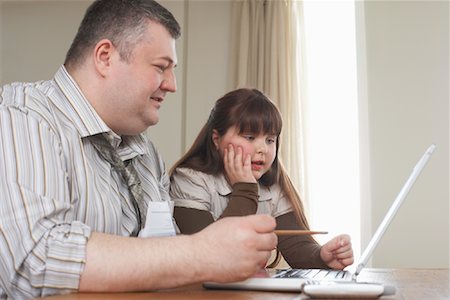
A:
{"points": [[249, 110]]}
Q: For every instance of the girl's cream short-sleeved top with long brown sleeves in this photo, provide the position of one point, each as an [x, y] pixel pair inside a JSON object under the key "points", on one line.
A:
{"points": [[201, 199]]}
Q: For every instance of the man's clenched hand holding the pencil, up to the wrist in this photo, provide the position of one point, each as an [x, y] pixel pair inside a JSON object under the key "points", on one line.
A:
{"points": [[235, 248]]}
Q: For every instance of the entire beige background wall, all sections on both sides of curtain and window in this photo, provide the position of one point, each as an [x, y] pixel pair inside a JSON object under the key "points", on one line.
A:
{"points": [[406, 96]]}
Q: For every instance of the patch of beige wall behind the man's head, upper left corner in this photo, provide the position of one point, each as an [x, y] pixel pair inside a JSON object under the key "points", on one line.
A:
{"points": [[28, 51]]}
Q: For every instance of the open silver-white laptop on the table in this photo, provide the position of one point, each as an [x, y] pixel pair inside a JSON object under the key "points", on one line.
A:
{"points": [[293, 280]]}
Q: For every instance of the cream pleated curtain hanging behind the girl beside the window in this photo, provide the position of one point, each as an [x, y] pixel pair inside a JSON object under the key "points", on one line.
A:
{"points": [[266, 56]]}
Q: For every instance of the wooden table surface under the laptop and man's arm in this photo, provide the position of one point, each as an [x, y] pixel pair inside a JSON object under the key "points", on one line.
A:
{"points": [[411, 284]]}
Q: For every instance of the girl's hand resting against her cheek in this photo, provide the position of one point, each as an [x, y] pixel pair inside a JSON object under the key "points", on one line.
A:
{"points": [[236, 168]]}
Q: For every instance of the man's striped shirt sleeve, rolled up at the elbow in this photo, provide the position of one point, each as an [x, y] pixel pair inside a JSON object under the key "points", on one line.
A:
{"points": [[41, 252]]}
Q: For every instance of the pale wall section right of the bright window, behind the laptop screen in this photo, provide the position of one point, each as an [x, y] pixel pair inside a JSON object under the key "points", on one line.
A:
{"points": [[408, 109]]}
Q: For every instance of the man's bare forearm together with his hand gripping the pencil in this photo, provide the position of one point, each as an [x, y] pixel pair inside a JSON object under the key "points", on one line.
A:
{"points": [[230, 249]]}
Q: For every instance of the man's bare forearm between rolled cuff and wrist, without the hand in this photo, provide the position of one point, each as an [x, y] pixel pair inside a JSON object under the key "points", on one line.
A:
{"points": [[116, 263]]}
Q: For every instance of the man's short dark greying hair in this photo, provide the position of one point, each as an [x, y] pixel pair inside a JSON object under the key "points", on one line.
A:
{"points": [[123, 22]]}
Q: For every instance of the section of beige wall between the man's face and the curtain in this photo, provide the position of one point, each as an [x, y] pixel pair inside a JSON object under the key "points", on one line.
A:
{"points": [[203, 54]]}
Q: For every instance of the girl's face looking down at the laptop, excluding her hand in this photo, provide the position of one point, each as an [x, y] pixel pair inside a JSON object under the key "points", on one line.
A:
{"points": [[261, 147]]}
